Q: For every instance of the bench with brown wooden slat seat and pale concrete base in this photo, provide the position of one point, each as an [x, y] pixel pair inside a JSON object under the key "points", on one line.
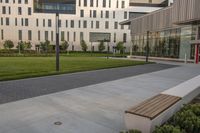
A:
{"points": [[149, 113]]}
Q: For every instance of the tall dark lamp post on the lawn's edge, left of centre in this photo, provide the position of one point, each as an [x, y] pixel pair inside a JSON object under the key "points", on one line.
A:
{"points": [[57, 43]]}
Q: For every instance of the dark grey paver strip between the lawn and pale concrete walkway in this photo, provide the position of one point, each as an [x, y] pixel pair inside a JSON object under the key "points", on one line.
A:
{"points": [[27, 88]]}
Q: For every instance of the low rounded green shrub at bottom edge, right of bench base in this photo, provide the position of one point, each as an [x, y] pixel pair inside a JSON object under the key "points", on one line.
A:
{"points": [[167, 129]]}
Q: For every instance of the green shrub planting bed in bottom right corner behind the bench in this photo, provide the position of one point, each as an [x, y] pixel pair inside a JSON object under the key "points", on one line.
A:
{"points": [[187, 120]]}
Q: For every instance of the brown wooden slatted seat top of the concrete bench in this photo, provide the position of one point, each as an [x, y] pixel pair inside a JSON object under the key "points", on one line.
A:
{"points": [[154, 106]]}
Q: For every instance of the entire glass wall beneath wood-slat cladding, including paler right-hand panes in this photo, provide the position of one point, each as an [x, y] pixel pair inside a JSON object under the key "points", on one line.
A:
{"points": [[172, 43]]}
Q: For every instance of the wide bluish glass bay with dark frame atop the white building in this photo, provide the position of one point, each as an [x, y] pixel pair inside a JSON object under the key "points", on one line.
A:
{"points": [[55, 6]]}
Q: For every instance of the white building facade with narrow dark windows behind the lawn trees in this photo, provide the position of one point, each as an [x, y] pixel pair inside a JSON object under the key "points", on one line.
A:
{"points": [[34, 21]]}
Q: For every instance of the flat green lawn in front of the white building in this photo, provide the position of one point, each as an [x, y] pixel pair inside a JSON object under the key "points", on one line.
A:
{"points": [[26, 67]]}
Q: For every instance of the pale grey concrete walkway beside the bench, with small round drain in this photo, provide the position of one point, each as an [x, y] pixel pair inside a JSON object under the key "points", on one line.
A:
{"points": [[97, 108]]}
